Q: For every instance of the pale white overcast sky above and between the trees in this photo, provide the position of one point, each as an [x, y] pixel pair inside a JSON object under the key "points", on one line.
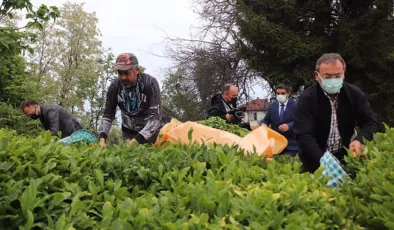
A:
{"points": [[138, 26]]}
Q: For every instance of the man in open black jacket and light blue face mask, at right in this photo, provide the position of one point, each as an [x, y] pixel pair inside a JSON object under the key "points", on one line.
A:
{"points": [[327, 113]]}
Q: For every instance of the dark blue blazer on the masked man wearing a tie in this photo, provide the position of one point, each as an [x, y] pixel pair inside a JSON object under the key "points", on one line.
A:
{"points": [[272, 118]]}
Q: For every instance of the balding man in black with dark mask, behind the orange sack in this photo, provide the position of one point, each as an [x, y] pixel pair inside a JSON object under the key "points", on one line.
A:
{"points": [[224, 102]]}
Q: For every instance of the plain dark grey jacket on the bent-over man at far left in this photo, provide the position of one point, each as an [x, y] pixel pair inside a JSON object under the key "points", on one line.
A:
{"points": [[55, 118]]}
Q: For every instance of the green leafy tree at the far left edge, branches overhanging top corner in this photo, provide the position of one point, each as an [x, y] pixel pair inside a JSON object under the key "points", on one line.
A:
{"points": [[13, 41]]}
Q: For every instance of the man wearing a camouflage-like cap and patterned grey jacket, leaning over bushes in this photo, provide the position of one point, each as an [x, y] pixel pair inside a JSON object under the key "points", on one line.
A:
{"points": [[137, 95]]}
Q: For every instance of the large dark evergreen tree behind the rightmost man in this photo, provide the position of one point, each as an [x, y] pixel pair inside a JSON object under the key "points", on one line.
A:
{"points": [[283, 39]]}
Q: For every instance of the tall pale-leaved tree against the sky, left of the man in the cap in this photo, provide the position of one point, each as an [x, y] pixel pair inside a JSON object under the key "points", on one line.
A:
{"points": [[77, 54]]}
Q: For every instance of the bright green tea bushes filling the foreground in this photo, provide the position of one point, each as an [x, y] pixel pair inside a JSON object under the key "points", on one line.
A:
{"points": [[44, 185]]}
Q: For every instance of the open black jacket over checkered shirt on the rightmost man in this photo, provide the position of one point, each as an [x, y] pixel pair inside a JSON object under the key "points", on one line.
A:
{"points": [[312, 120]]}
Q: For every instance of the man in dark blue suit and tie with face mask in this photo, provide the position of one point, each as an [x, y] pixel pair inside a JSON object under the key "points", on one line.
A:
{"points": [[280, 117]]}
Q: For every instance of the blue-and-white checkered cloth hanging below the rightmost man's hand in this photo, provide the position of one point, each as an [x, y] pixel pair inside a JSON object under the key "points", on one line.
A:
{"points": [[333, 169]]}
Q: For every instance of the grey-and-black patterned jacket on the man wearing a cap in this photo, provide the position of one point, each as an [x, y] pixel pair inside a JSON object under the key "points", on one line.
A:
{"points": [[140, 107]]}
